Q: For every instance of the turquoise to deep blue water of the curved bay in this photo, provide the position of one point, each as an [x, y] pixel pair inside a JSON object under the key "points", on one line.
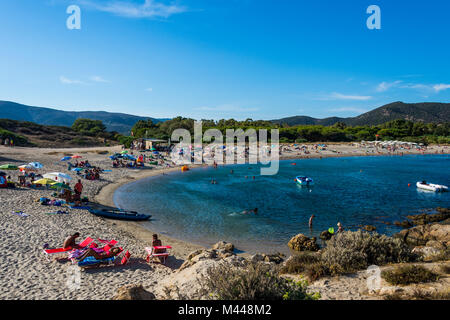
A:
{"points": [[354, 190]]}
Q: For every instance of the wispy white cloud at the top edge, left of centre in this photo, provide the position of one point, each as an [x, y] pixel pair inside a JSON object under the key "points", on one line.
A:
{"points": [[131, 9]]}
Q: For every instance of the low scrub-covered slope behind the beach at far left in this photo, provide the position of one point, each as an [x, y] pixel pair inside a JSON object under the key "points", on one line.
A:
{"points": [[29, 134]]}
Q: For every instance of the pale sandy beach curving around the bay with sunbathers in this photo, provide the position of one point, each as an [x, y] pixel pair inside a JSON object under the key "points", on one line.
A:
{"points": [[26, 273]]}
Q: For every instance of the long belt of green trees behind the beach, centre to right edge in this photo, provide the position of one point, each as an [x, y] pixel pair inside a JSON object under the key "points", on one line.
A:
{"points": [[339, 132]]}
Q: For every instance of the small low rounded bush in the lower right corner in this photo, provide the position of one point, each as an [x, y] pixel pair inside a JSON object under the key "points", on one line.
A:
{"points": [[409, 274]]}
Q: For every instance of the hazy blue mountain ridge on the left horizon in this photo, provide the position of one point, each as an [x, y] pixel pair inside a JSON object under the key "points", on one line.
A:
{"points": [[119, 122]]}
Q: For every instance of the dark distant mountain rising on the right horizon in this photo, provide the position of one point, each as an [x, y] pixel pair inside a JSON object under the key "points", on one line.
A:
{"points": [[428, 112]]}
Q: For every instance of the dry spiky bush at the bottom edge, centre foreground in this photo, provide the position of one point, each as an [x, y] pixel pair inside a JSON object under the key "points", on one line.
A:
{"points": [[257, 281]]}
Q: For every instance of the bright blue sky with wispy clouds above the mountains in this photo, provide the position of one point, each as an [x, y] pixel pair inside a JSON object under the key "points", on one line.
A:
{"points": [[214, 59]]}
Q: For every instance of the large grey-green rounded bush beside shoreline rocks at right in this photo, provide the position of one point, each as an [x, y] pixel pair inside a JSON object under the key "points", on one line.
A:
{"points": [[351, 251]]}
